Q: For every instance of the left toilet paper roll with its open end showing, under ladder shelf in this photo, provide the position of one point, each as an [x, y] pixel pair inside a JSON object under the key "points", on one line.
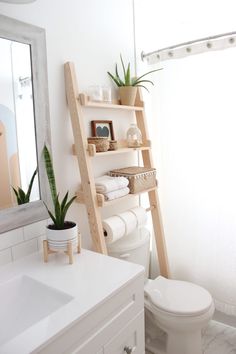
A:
{"points": [[114, 228]]}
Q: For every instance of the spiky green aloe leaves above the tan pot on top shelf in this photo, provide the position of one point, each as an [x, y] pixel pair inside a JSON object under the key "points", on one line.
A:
{"points": [[127, 79]]}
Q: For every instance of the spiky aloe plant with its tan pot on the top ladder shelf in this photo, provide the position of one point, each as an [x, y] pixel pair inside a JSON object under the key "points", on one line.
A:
{"points": [[128, 85]]}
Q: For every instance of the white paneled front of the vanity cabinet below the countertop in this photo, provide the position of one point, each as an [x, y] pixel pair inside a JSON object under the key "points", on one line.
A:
{"points": [[114, 327]]}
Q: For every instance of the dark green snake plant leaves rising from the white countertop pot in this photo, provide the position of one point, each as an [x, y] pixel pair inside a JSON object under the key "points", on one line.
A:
{"points": [[60, 207]]}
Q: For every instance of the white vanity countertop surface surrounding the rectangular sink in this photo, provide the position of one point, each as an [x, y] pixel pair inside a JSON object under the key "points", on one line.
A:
{"points": [[90, 280]]}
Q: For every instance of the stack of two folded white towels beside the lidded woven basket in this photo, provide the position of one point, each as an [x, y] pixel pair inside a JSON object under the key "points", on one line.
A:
{"points": [[112, 187]]}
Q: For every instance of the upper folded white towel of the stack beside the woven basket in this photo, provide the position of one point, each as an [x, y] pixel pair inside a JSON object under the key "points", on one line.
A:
{"points": [[106, 184]]}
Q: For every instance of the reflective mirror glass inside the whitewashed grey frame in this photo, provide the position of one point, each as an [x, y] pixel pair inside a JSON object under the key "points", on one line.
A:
{"points": [[17, 125]]}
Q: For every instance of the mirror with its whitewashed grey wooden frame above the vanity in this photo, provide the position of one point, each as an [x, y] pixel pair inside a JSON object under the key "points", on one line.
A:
{"points": [[24, 123]]}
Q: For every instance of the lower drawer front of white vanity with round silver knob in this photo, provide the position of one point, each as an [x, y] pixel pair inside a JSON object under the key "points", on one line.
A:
{"points": [[130, 337]]}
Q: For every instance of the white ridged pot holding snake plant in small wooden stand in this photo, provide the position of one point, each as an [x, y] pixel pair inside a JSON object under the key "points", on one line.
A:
{"points": [[62, 236]]}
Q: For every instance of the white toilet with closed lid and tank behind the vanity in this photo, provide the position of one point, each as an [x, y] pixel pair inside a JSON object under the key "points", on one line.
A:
{"points": [[181, 309]]}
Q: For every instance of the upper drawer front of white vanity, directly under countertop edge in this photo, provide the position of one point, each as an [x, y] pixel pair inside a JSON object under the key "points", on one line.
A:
{"points": [[89, 335]]}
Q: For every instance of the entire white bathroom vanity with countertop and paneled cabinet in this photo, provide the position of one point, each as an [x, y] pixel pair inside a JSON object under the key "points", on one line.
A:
{"points": [[102, 310]]}
